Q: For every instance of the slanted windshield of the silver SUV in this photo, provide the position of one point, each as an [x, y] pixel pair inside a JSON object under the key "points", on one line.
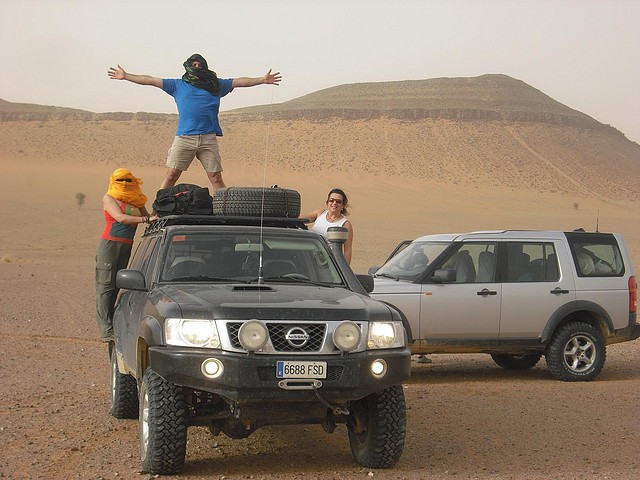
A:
{"points": [[412, 261]]}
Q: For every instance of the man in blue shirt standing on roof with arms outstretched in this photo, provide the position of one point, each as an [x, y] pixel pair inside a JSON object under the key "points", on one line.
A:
{"points": [[197, 96]]}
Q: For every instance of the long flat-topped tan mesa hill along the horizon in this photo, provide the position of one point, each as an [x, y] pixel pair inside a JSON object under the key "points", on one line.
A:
{"points": [[491, 130]]}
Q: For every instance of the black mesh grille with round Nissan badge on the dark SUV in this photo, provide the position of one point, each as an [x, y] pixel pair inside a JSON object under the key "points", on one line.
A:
{"points": [[315, 333]]}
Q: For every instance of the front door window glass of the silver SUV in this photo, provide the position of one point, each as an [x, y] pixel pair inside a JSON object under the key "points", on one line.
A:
{"points": [[473, 262]]}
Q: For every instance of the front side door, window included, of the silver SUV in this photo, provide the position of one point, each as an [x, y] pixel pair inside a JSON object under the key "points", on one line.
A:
{"points": [[465, 311]]}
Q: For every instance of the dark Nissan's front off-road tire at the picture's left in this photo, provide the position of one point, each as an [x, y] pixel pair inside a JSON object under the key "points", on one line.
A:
{"points": [[163, 425]]}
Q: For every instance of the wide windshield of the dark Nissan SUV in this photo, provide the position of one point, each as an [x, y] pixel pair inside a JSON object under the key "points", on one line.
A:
{"points": [[234, 257]]}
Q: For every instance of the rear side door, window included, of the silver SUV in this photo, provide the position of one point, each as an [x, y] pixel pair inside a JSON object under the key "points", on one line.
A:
{"points": [[535, 284]]}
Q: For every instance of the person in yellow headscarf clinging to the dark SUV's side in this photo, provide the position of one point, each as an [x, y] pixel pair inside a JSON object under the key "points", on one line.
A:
{"points": [[124, 209]]}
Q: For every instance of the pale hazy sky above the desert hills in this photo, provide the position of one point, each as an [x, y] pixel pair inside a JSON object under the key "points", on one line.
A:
{"points": [[583, 53]]}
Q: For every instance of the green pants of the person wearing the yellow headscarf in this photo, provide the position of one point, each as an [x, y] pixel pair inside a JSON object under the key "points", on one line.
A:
{"points": [[110, 257]]}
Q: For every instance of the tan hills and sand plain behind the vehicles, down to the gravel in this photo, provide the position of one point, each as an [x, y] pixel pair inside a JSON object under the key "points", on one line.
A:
{"points": [[415, 157]]}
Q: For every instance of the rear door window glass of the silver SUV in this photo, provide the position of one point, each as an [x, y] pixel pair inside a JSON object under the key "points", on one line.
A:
{"points": [[531, 262]]}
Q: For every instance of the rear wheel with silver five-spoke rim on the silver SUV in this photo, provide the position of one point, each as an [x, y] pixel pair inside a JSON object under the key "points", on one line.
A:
{"points": [[576, 352]]}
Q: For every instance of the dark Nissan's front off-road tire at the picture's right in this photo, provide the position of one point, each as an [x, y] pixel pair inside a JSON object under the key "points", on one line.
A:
{"points": [[377, 428]]}
